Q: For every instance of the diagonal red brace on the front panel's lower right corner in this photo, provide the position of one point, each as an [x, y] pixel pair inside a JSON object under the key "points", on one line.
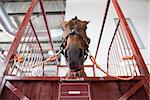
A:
{"points": [[132, 91]]}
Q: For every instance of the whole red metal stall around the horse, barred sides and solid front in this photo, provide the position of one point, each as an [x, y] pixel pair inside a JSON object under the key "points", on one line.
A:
{"points": [[18, 81]]}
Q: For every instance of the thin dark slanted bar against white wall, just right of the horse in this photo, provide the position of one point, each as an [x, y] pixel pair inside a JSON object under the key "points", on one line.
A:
{"points": [[102, 29]]}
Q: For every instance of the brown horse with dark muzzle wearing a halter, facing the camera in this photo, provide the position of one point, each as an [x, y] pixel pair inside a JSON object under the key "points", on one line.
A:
{"points": [[75, 46]]}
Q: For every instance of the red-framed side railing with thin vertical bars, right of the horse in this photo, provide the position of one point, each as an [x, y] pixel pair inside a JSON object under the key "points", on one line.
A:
{"points": [[123, 53]]}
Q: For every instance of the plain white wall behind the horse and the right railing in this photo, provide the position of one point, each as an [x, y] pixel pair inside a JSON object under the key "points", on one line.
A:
{"points": [[93, 10]]}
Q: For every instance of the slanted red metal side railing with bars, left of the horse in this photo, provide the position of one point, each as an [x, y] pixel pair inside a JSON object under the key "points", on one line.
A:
{"points": [[26, 49]]}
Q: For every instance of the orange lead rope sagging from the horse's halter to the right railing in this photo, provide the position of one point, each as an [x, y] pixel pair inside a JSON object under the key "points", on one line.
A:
{"points": [[117, 77]]}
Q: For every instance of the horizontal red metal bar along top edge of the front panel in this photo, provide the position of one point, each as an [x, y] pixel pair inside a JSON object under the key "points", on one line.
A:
{"points": [[53, 78]]}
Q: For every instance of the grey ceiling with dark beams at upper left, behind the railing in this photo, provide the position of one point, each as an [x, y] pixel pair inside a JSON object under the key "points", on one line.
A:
{"points": [[55, 11]]}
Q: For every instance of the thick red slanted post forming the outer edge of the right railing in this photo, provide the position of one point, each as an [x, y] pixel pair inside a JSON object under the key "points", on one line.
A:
{"points": [[136, 52]]}
